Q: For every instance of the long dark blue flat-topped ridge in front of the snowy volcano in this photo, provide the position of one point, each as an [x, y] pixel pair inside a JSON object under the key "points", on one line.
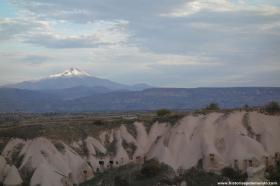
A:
{"points": [[12, 100]]}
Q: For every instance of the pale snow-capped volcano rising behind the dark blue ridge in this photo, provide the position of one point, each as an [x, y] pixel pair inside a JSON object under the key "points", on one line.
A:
{"points": [[75, 78]]}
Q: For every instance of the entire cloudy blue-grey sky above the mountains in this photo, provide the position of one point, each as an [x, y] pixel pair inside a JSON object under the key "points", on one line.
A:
{"points": [[168, 43]]}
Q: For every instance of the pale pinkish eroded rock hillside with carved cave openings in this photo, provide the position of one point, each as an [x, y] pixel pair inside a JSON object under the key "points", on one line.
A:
{"points": [[248, 141]]}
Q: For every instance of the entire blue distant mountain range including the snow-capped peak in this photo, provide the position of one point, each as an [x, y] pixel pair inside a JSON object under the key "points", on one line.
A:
{"points": [[76, 91]]}
